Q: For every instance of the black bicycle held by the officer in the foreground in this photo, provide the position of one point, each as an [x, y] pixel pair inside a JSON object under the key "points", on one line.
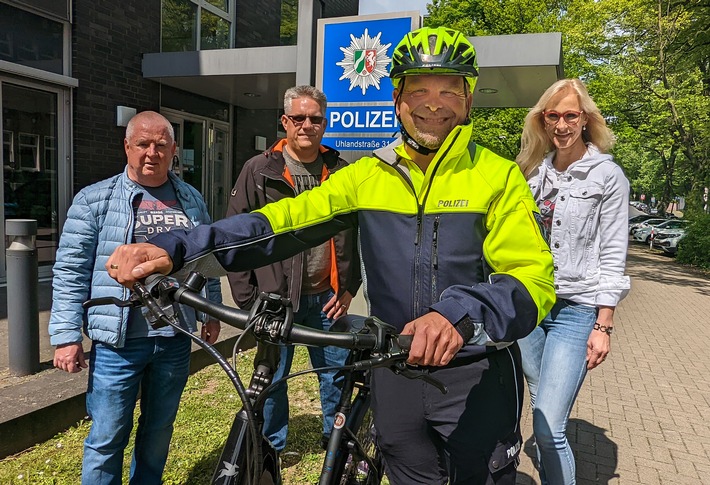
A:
{"points": [[248, 458]]}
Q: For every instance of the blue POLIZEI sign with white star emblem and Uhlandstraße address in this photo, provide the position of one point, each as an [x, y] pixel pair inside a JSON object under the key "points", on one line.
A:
{"points": [[352, 69]]}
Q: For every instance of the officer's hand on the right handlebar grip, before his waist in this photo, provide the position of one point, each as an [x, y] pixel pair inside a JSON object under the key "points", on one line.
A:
{"points": [[436, 341]]}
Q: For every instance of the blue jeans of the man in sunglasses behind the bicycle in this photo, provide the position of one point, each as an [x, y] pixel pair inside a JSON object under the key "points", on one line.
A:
{"points": [[310, 314]]}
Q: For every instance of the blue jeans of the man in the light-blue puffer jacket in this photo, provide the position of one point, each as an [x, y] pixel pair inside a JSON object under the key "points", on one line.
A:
{"points": [[159, 366]]}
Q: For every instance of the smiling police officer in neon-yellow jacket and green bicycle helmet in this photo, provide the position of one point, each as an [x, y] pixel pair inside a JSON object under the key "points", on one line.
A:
{"points": [[451, 252]]}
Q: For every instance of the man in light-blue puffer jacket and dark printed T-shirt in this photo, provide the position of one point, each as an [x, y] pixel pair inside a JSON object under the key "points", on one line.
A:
{"points": [[126, 353]]}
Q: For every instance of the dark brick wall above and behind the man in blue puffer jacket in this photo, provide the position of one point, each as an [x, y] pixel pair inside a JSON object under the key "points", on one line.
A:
{"points": [[108, 40]]}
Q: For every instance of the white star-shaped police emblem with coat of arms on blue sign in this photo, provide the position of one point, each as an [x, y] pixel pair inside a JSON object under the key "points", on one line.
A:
{"points": [[365, 61]]}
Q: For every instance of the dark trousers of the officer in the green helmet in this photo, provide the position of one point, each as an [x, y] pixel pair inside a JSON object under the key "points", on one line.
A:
{"points": [[471, 435]]}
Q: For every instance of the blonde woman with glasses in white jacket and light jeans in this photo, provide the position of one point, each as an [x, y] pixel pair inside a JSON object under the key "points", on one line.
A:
{"points": [[583, 198]]}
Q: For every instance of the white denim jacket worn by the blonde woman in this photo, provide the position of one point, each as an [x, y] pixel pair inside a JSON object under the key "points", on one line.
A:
{"points": [[589, 236]]}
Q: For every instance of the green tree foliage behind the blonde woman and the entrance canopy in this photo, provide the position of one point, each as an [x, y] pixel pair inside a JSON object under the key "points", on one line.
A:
{"points": [[646, 64]]}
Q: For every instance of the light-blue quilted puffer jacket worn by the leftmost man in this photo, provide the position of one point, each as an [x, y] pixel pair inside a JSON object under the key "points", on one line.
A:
{"points": [[99, 220]]}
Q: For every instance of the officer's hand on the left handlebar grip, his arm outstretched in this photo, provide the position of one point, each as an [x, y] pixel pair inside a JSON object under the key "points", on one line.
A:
{"points": [[132, 262]]}
